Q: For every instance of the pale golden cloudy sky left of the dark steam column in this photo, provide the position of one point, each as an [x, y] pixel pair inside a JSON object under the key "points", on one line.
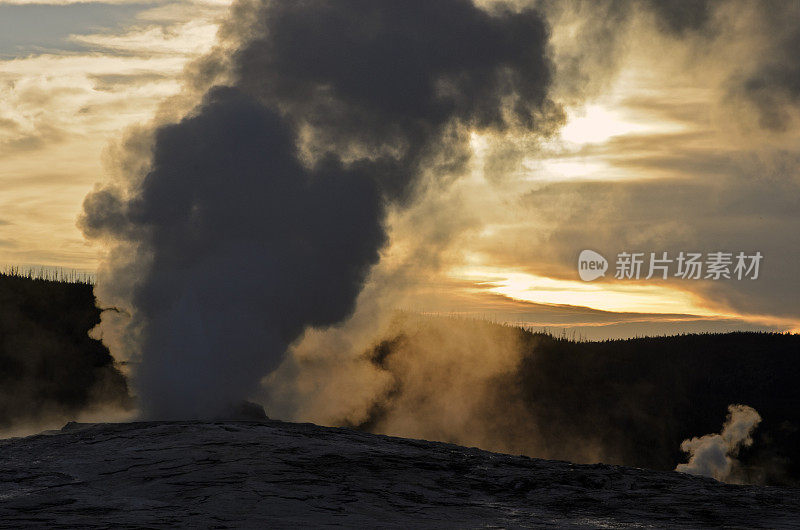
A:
{"points": [[73, 76]]}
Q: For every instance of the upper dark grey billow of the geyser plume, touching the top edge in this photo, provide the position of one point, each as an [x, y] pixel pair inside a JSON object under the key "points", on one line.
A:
{"points": [[382, 76]]}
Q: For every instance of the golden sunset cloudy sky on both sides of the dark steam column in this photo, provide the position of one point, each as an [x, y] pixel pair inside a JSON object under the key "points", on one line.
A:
{"points": [[670, 129]]}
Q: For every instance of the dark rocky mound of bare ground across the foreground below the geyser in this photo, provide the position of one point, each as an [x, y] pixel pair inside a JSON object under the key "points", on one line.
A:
{"points": [[275, 474]]}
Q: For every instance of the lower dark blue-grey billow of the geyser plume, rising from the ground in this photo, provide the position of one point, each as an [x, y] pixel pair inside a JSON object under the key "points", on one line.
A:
{"points": [[247, 248]]}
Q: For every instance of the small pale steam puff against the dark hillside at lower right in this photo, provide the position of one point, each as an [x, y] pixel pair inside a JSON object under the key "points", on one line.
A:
{"points": [[714, 455]]}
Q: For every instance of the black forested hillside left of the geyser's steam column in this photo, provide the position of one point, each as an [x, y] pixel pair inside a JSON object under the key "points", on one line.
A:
{"points": [[50, 369]]}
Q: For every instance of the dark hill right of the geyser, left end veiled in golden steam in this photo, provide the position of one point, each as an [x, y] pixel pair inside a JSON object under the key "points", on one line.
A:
{"points": [[629, 402]]}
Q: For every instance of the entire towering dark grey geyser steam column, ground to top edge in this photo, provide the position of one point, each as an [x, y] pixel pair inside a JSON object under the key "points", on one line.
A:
{"points": [[262, 211]]}
